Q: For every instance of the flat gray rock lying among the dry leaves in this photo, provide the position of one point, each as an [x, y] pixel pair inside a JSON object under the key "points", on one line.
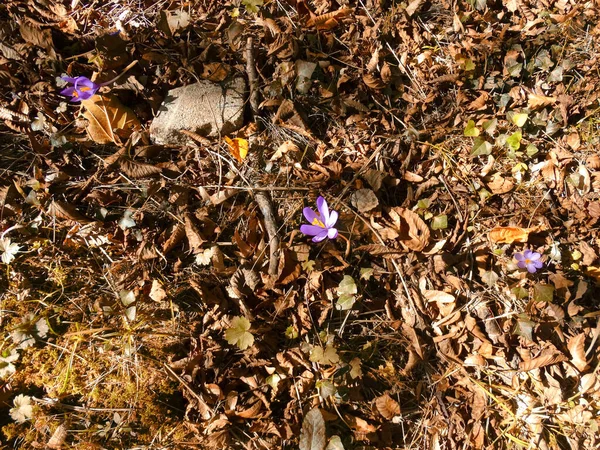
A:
{"points": [[206, 108]]}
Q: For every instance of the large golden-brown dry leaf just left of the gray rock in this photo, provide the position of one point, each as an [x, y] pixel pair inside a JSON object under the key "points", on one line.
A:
{"points": [[108, 119]]}
